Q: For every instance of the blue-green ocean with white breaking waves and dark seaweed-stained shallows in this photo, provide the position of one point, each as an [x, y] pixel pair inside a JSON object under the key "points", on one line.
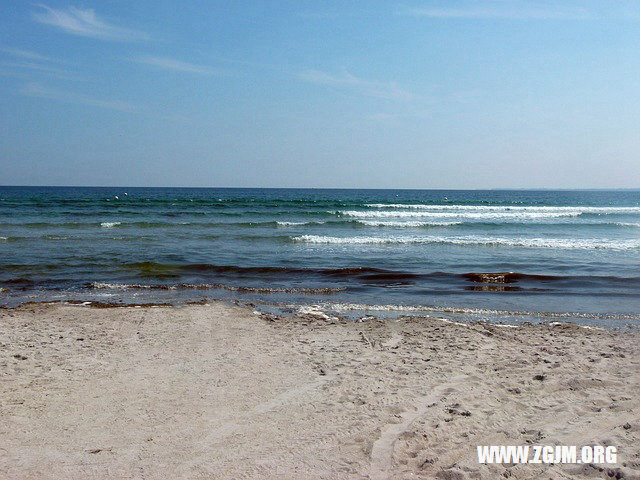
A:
{"points": [[506, 256]]}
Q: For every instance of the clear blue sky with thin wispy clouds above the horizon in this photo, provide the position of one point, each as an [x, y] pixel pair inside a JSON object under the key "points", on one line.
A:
{"points": [[331, 94]]}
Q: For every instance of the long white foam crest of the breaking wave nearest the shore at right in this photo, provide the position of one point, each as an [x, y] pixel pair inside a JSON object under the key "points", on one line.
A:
{"points": [[557, 243]]}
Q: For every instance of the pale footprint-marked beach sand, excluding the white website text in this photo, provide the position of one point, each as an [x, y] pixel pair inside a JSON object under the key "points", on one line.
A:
{"points": [[217, 391]]}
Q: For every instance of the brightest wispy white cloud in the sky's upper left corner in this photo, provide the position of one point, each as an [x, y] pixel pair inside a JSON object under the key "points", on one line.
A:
{"points": [[85, 23]]}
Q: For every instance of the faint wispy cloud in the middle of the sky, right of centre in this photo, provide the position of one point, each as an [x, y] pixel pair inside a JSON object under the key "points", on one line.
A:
{"points": [[386, 90]]}
